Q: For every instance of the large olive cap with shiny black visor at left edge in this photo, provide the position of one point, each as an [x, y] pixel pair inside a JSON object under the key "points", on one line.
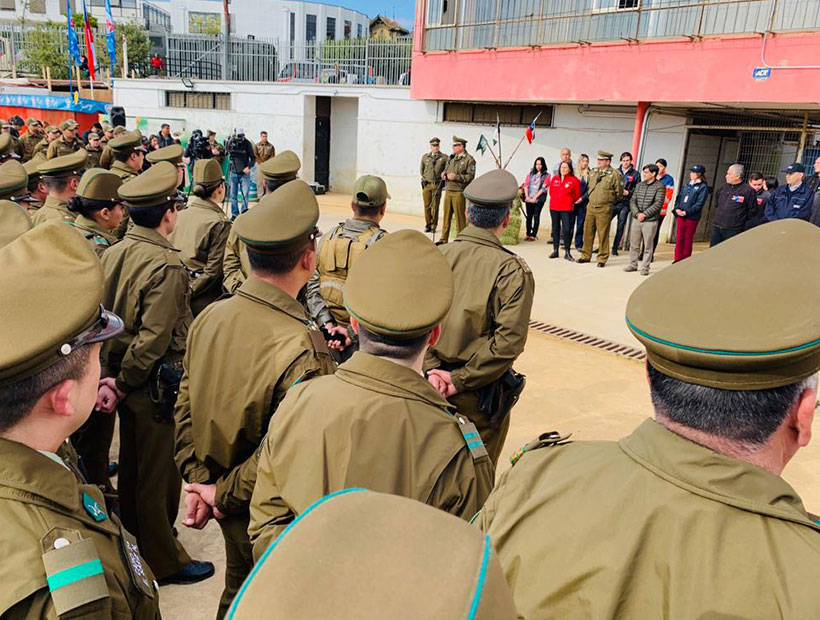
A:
{"points": [[48, 304]]}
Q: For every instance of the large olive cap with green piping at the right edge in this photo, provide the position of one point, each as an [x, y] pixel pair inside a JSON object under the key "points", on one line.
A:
{"points": [[703, 320]]}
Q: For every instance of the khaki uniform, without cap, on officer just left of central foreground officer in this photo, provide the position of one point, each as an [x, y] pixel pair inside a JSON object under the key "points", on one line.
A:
{"points": [[243, 355]]}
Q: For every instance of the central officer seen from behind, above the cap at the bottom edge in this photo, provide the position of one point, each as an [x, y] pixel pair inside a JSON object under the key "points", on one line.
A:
{"points": [[377, 422]]}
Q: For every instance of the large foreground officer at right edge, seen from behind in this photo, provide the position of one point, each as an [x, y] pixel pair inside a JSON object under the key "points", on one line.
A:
{"points": [[691, 518]]}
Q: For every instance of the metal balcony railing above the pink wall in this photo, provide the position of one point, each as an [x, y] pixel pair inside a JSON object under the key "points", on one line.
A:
{"points": [[474, 24]]}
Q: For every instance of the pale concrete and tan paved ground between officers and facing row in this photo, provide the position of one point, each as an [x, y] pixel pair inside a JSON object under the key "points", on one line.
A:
{"points": [[571, 388]]}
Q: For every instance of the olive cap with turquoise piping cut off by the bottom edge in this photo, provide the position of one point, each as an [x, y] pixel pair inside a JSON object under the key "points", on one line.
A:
{"points": [[358, 554]]}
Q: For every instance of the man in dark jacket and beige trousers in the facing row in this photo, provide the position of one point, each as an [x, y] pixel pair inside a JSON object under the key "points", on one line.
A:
{"points": [[645, 205]]}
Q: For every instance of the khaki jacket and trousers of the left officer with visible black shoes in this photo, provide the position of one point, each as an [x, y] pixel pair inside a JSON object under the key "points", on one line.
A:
{"points": [[147, 285]]}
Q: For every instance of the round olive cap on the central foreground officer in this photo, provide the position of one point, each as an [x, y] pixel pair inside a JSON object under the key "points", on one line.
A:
{"points": [[401, 287]]}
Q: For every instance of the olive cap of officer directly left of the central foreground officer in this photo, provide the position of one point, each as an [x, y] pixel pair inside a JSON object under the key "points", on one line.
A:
{"points": [[283, 221]]}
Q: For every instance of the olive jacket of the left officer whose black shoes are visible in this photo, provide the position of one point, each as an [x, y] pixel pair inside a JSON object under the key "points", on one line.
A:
{"points": [[146, 285]]}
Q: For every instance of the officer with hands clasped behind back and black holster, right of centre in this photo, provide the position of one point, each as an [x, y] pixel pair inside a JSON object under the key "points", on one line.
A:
{"points": [[473, 360]]}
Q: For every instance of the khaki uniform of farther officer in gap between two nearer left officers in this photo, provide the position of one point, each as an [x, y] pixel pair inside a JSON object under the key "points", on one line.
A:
{"points": [[200, 234]]}
